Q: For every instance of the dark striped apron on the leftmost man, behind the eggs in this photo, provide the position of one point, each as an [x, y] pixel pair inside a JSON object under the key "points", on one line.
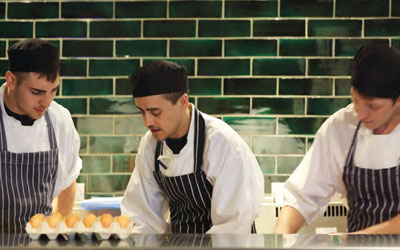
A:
{"points": [[27, 182]]}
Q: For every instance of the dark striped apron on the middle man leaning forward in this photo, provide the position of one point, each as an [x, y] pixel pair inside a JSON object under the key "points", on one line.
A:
{"points": [[189, 195]]}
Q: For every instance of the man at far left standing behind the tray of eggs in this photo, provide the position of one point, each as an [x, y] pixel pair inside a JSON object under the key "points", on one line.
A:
{"points": [[39, 144]]}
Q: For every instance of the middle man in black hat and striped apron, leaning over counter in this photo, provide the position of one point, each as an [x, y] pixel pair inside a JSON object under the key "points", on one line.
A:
{"points": [[188, 161]]}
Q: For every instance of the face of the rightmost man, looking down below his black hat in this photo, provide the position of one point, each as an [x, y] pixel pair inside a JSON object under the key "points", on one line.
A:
{"points": [[374, 112]]}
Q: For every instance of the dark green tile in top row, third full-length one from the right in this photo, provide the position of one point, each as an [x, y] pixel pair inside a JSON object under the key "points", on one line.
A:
{"points": [[251, 8]]}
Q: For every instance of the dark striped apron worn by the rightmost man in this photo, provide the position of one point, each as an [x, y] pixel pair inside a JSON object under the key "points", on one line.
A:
{"points": [[373, 195]]}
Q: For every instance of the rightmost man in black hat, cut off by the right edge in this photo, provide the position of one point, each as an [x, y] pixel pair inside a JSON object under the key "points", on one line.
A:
{"points": [[355, 152]]}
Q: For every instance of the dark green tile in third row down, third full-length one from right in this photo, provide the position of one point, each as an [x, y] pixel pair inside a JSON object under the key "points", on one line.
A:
{"points": [[250, 47]]}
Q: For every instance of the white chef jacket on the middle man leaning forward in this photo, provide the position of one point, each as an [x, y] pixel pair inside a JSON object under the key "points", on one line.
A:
{"points": [[229, 164]]}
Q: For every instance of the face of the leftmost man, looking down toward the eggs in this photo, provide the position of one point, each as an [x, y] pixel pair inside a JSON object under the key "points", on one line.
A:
{"points": [[32, 95]]}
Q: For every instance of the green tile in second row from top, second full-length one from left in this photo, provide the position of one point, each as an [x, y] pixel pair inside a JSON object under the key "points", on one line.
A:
{"points": [[115, 29]]}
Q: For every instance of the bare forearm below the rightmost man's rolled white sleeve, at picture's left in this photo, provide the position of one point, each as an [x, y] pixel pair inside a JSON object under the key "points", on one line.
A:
{"points": [[289, 221]]}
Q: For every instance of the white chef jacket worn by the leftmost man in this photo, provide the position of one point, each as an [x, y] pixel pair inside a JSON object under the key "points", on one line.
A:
{"points": [[35, 138]]}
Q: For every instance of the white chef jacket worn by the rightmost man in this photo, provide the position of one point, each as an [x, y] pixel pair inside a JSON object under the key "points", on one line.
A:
{"points": [[319, 175]]}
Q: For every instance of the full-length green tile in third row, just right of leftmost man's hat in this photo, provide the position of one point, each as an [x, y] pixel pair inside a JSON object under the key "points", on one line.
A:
{"points": [[82, 48]]}
